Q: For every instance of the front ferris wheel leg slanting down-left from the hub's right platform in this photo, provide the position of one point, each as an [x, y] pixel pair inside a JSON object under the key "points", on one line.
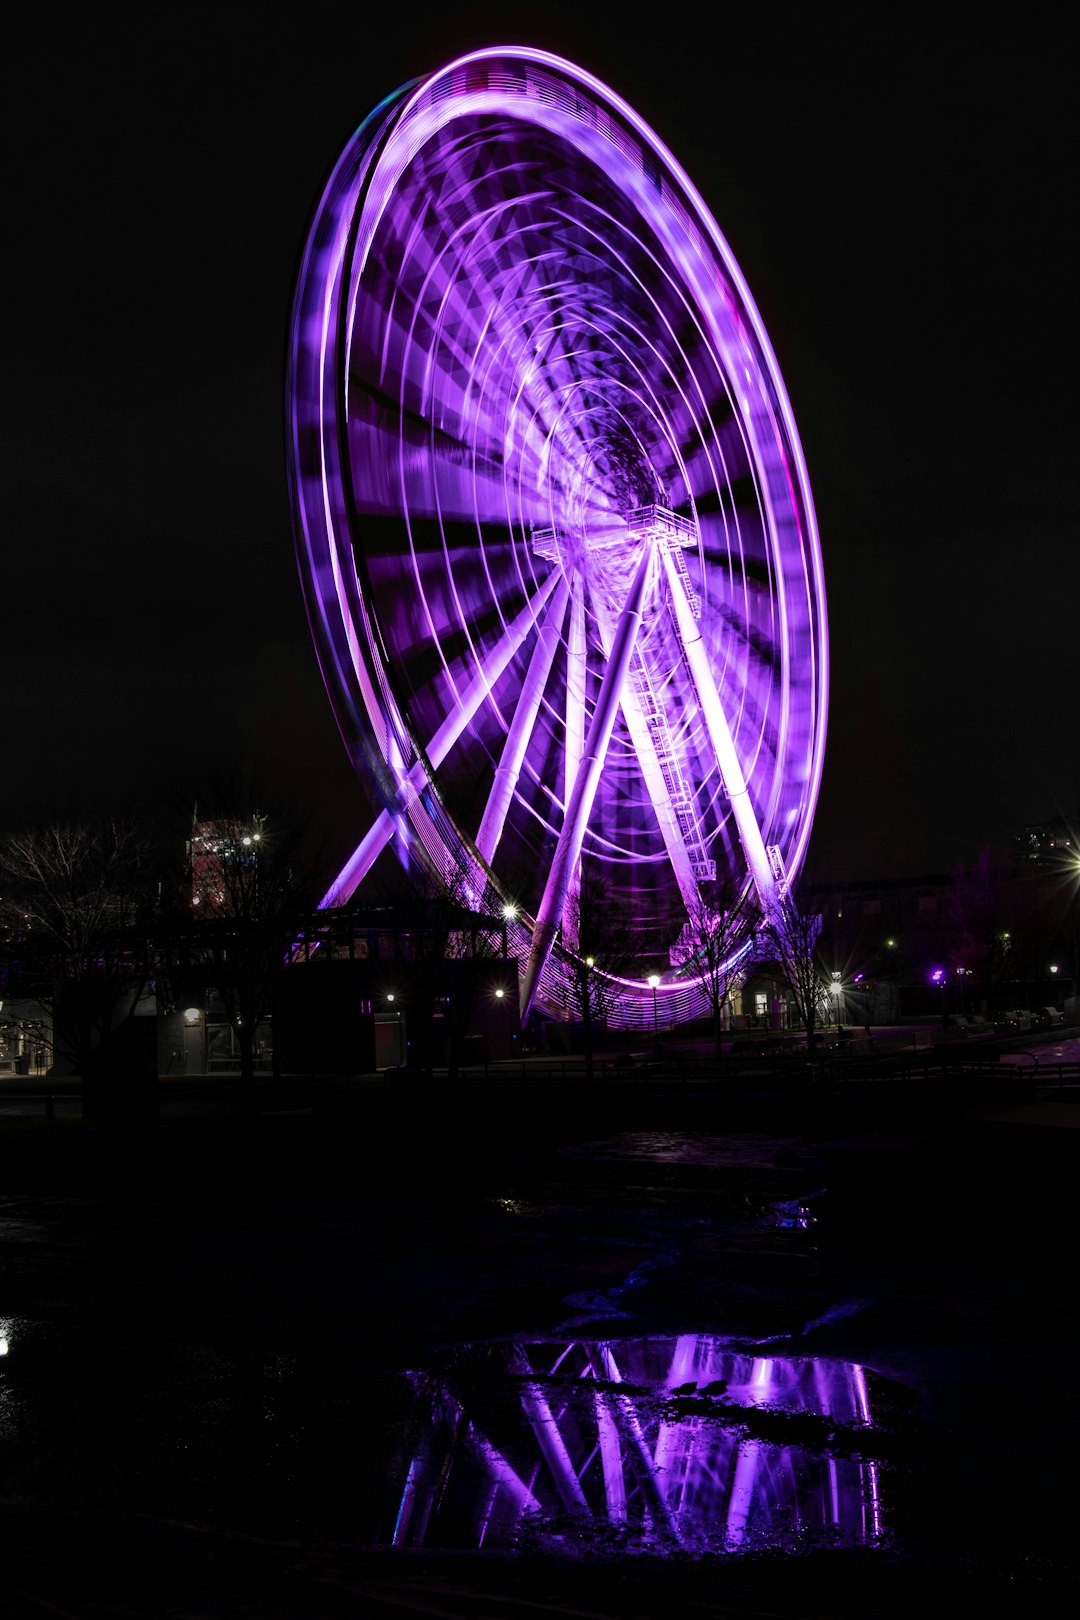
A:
{"points": [[580, 806]]}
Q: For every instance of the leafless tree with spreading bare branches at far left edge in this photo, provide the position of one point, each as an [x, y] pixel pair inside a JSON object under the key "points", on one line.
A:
{"points": [[79, 939]]}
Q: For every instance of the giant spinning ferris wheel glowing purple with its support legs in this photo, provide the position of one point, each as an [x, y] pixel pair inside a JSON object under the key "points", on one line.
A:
{"points": [[553, 519]]}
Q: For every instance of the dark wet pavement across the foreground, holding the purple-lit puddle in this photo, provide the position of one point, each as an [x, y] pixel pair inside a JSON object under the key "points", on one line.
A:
{"points": [[500, 1355]]}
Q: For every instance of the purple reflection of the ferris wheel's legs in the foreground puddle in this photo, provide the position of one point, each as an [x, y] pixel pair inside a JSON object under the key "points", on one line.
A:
{"points": [[657, 1446]]}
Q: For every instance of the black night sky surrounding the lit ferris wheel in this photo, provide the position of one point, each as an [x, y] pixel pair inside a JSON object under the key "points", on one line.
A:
{"points": [[903, 202]]}
